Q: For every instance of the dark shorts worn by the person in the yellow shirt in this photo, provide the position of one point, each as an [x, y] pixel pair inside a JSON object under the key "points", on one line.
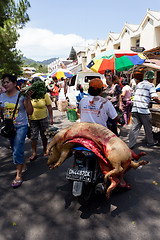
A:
{"points": [[37, 126]]}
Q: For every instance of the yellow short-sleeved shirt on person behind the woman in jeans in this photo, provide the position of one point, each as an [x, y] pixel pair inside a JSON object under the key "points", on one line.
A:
{"points": [[39, 108]]}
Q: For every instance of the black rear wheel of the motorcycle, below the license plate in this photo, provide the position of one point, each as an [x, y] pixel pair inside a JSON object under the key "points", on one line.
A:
{"points": [[87, 192]]}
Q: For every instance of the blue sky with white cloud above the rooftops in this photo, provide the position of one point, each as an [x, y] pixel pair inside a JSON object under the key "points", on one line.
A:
{"points": [[57, 25]]}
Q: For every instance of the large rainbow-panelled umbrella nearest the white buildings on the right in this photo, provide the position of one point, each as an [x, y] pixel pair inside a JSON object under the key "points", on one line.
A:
{"points": [[119, 60]]}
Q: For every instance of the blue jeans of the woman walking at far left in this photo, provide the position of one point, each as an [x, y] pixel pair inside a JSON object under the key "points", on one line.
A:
{"points": [[17, 144]]}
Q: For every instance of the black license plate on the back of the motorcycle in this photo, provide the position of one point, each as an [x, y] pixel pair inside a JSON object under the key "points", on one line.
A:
{"points": [[79, 175]]}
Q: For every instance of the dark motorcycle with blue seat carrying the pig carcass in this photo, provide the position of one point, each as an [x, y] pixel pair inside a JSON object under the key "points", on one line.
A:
{"points": [[86, 175]]}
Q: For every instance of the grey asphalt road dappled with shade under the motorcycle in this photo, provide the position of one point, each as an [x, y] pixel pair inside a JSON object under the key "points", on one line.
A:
{"points": [[44, 209]]}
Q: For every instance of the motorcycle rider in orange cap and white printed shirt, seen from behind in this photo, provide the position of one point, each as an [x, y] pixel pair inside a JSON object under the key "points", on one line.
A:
{"points": [[95, 108]]}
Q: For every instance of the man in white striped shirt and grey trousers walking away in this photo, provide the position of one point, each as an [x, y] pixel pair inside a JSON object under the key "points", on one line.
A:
{"points": [[144, 92]]}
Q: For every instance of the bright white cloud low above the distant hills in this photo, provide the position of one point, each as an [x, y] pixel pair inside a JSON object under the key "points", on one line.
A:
{"points": [[41, 44]]}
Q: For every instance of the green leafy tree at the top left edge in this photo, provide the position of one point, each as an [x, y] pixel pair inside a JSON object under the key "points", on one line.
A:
{"points": [[13, 16]]}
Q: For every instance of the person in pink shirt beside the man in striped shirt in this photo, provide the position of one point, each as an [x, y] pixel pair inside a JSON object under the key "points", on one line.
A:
{"points": [[126, 100]]}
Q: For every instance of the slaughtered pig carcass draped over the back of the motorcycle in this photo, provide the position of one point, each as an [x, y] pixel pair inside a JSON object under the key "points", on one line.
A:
{"points": [[115, 157]]}
